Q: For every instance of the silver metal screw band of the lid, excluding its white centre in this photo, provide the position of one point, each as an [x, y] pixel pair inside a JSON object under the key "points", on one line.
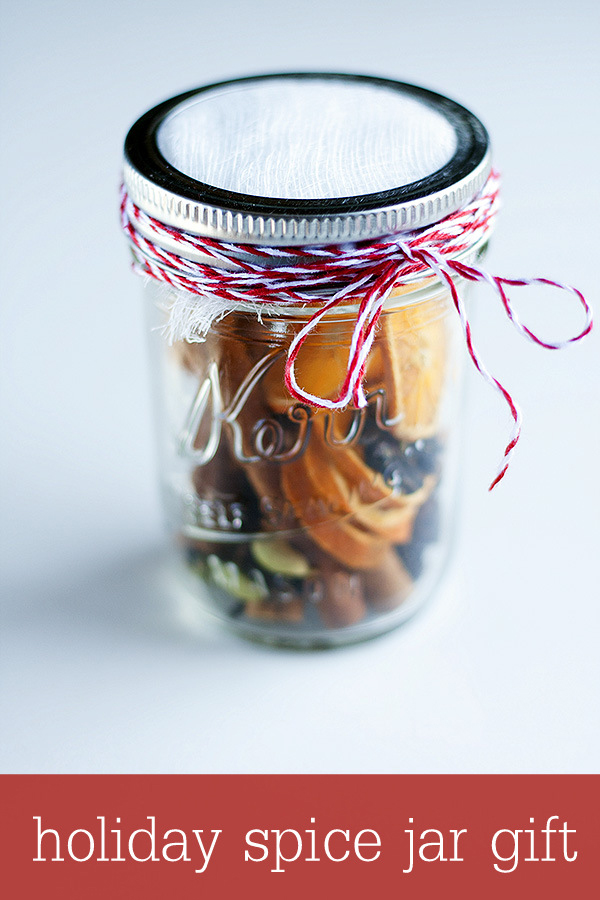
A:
{"points": [[175, 198]]}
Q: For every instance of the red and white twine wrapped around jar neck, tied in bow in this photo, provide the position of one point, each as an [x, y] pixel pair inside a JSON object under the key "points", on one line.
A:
{"points": [[327, 277]]}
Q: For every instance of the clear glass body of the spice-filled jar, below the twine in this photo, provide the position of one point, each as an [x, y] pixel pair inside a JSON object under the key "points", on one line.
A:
{"points": [[303, 526]]}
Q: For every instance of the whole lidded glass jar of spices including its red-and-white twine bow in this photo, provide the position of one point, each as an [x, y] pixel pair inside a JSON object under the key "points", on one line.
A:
{"points": [[308, 241]]}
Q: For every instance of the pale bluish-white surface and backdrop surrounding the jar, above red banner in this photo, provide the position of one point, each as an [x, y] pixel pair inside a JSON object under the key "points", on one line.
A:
{"points": [[99, 671]]}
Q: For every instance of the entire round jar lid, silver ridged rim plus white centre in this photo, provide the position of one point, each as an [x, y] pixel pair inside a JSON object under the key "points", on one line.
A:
{"points": [[300, 159]]}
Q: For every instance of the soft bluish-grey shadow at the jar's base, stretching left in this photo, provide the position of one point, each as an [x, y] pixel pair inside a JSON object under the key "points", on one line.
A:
{"points": [[138, 600]]}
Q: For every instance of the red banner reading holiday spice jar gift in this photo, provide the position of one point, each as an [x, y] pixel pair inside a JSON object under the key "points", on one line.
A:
{"points": [[293, 836]]}
